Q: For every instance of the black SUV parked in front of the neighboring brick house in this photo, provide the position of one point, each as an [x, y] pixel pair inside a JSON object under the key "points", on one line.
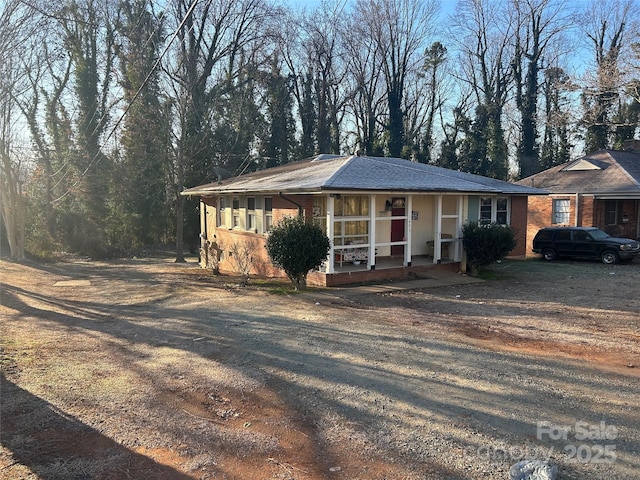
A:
{"points": [[584, 242]]}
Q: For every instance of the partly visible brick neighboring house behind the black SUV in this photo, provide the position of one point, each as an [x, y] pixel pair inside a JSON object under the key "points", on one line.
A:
{"points": [[601, 189]]}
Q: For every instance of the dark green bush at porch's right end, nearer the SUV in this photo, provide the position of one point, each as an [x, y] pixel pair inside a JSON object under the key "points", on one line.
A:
{"points": [[486, 244]]}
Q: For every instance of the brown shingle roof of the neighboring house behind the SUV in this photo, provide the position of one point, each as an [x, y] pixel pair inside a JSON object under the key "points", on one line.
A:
{"points": [[618, 172]]}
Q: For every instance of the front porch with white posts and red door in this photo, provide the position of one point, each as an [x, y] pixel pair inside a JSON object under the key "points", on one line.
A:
{"points": [[383, 231]]}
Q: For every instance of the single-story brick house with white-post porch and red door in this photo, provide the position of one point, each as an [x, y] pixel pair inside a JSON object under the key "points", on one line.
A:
{"points": [[386, 218]]}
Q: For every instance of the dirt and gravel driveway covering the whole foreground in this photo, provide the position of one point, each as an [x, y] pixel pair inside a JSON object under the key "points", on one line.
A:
{"points": [[149, 369]]}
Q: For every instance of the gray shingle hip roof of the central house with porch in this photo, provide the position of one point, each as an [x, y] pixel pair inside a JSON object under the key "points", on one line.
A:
{"points": [[336, 173]]}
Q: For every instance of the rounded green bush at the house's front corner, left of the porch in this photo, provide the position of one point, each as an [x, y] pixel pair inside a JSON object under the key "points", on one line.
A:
{"points": [[297, 246]]}
